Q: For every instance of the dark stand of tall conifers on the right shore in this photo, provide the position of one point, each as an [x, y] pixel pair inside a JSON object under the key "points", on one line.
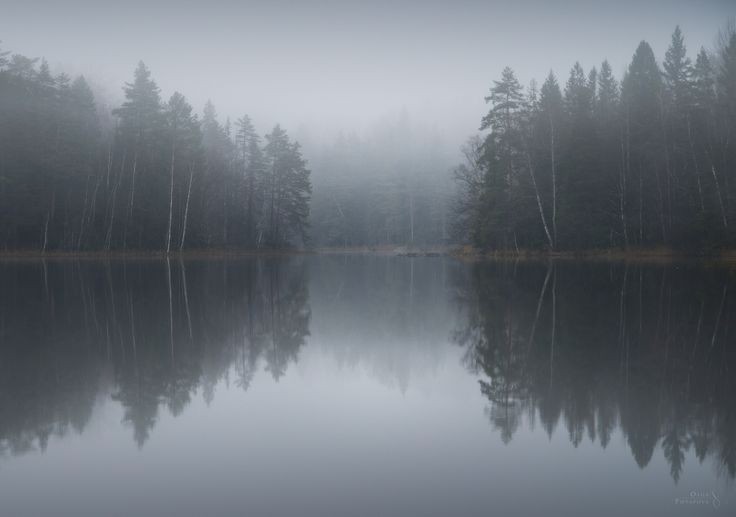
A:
{"points": [[647, 161]]}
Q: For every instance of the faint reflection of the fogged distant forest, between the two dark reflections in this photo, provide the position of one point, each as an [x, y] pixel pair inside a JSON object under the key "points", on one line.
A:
{"points": [[391, 327]]}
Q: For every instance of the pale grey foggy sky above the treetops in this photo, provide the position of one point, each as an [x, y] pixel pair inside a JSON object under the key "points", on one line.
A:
{"points": [[323, 66]]}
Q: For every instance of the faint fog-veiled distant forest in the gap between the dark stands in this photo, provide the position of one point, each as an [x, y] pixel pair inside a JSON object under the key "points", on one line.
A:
{"points": [[391, 187]]}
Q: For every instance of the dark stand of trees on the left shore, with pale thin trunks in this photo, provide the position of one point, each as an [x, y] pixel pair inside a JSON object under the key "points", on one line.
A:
{"points": [[149, 175]]}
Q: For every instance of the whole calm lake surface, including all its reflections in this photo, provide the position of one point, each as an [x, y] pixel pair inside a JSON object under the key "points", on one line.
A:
{"points": [[366, 386]]}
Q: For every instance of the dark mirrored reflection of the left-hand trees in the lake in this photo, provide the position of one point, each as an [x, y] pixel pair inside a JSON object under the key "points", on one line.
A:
{"points": [[149, 332]]}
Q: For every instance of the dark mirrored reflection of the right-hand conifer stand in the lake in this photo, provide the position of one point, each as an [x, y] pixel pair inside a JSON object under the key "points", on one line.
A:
{"points": [[645, 349]]}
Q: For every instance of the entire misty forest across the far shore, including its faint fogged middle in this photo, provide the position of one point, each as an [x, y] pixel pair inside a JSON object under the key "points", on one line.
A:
{"points": [[645, 161]]}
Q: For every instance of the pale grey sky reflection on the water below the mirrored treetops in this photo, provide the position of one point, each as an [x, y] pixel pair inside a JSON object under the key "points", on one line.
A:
{"points": [[328, 441]]}
